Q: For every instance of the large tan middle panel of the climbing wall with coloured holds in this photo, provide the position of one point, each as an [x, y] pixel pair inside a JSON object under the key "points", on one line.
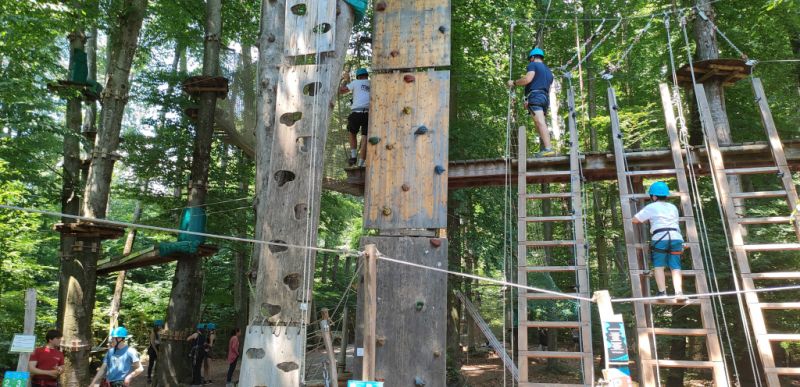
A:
{"points": [[404, 189]]}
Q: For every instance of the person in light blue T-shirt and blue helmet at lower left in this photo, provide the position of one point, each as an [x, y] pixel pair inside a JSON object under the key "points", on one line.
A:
{"points": [[121, 364]]}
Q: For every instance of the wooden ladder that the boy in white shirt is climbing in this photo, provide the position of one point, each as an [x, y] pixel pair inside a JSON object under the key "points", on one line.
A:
{"points": [[637, 243]]}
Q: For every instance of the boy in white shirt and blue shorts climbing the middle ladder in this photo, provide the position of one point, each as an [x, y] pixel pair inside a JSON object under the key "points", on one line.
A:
{"points": [[667, 241]]}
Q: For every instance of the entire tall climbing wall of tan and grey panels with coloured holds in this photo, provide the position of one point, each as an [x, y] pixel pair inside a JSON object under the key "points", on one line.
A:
{"points": [[406, 187]]}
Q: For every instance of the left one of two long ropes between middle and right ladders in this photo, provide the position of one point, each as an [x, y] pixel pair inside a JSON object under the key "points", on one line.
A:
{"points": [[698, 205]]}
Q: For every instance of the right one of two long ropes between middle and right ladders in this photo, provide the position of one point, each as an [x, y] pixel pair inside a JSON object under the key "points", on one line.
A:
{"points": [[735, 276]]}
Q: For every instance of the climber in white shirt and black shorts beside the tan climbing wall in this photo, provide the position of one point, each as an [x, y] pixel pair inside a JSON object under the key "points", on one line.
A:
{"points": [[358, 120]]}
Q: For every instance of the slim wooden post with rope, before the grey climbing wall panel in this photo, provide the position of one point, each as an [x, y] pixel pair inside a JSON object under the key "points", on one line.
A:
{"points": [[370, 311]]}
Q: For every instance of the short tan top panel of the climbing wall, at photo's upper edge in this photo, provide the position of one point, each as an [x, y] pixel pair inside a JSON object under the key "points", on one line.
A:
{"points": [[411, 33]]}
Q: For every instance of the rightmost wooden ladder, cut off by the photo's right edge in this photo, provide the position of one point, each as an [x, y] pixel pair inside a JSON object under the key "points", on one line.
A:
{"points": [[736, 223]]}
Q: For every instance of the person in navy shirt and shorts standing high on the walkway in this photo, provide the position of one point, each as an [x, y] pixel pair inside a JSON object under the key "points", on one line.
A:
{"points": [[537, 81]]}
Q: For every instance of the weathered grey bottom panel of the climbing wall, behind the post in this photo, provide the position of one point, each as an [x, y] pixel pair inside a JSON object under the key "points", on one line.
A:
{"points": [[412, 313]]}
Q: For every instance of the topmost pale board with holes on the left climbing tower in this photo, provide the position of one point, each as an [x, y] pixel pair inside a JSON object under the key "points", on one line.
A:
{"points": [[305, 34]]}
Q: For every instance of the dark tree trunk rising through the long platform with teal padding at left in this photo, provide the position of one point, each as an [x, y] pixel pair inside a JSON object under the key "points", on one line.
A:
{"points": [[186, 294]]}
